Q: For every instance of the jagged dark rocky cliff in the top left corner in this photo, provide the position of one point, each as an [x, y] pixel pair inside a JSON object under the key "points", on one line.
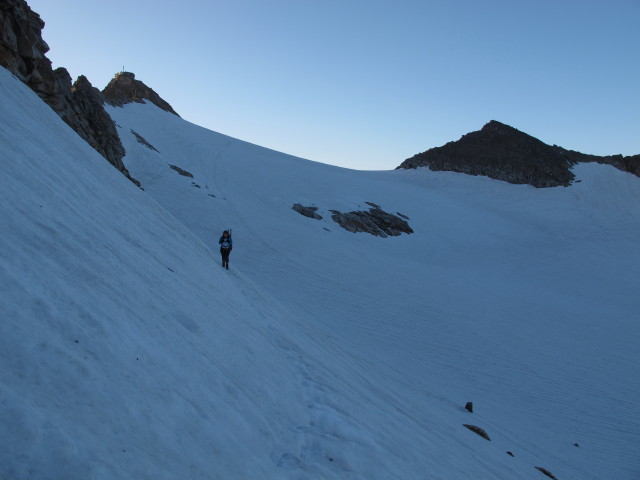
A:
{"points": [[22, 52]]}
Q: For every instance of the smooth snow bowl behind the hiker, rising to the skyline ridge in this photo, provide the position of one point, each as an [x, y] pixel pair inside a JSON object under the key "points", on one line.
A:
{"points": [[519, 299]]}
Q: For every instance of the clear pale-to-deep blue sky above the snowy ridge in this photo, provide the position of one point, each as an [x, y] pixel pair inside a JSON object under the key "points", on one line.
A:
{"points": [[367, 83]]}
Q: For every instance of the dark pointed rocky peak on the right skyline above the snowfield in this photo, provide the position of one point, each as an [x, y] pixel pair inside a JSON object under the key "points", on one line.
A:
{"points": [[504, 153]]}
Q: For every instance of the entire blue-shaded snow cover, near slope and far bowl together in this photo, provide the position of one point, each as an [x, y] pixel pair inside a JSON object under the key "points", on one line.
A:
{"points": [[126, 351]]}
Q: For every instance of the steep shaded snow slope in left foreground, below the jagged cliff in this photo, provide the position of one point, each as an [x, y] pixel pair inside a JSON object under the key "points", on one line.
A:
{"points": [[127, 353]]}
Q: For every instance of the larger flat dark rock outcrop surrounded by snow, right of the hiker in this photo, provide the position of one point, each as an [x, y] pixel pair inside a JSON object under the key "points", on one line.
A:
{"points": [[375, 222]]}
